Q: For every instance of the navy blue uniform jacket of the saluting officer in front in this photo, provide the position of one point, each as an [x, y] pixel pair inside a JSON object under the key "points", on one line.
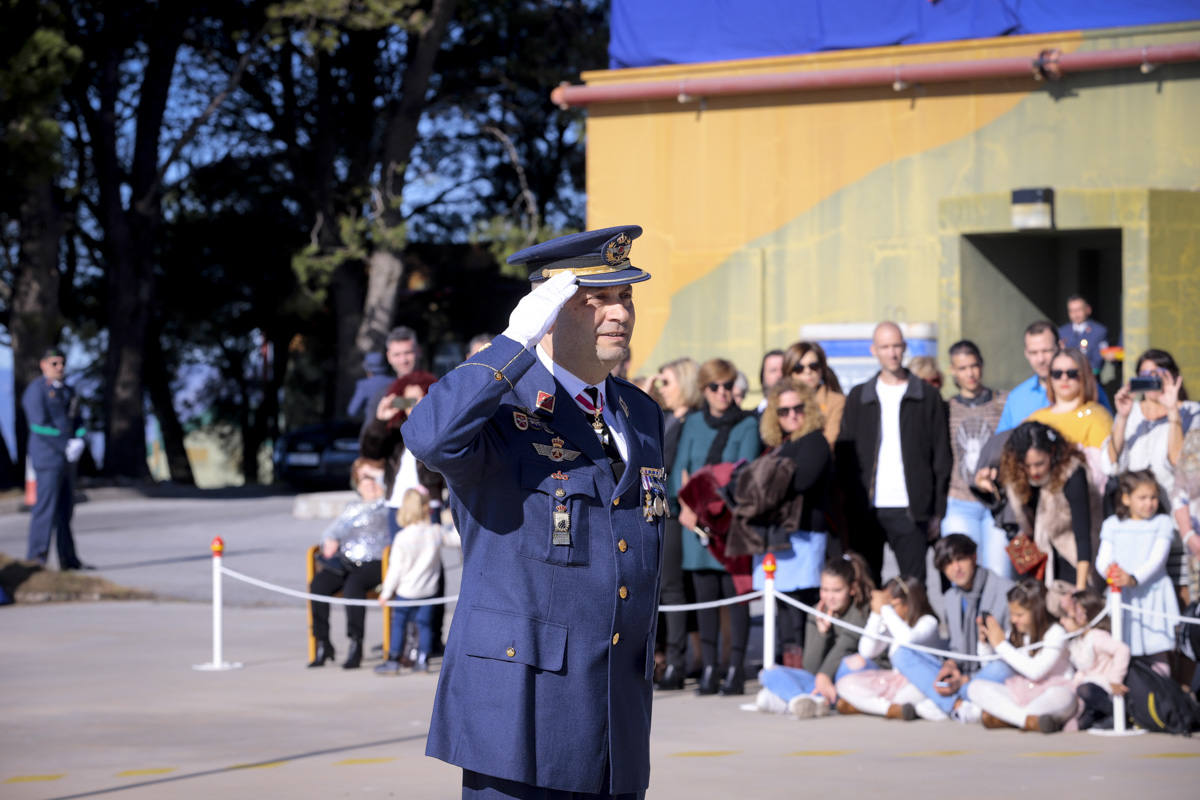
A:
{"points": [[548, 673]]}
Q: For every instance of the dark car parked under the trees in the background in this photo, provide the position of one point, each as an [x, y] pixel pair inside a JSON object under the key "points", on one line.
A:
{"points": [[317, 455]]}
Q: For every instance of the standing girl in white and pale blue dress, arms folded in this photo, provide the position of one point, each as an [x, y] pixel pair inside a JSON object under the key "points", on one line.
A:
{"points": [[1135, 545]]}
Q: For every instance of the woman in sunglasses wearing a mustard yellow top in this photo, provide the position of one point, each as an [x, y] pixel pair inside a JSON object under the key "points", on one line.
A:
{"points": [[1075, 411]]}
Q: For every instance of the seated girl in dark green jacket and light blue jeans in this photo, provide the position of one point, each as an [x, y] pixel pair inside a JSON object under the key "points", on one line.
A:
{"points": [[811, 693]]}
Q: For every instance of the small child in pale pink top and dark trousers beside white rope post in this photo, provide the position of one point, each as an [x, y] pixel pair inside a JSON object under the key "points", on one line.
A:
{"points": [[1101, 663]]}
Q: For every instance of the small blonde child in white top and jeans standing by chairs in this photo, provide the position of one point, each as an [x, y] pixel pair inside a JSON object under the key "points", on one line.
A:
{"points": [[413, 568]]}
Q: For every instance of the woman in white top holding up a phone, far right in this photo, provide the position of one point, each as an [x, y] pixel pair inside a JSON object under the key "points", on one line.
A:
{"points": [[1149, 435]]}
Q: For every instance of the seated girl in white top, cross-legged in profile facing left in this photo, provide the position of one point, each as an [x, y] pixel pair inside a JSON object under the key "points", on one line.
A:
{"points": [[1041, 696]]}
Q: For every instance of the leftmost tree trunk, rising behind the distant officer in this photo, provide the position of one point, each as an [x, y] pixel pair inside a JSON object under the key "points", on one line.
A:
{"points": [[37, 320]]}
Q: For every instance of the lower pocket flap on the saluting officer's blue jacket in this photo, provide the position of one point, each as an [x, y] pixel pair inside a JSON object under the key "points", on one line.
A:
{"points": [[518, 639]]}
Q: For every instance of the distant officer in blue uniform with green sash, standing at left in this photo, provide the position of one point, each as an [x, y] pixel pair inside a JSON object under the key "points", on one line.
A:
{"points": [[56, 443]]}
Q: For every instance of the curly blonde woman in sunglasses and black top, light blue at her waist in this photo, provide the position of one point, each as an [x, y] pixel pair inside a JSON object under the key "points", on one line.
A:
{"points": [[791, 426]]}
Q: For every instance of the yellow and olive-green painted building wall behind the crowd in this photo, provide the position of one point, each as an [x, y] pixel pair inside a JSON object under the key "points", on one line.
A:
{"points": [[767, 213]]}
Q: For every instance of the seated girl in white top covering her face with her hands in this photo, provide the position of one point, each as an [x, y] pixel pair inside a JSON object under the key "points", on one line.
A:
{"points": [[902, 612]]}
